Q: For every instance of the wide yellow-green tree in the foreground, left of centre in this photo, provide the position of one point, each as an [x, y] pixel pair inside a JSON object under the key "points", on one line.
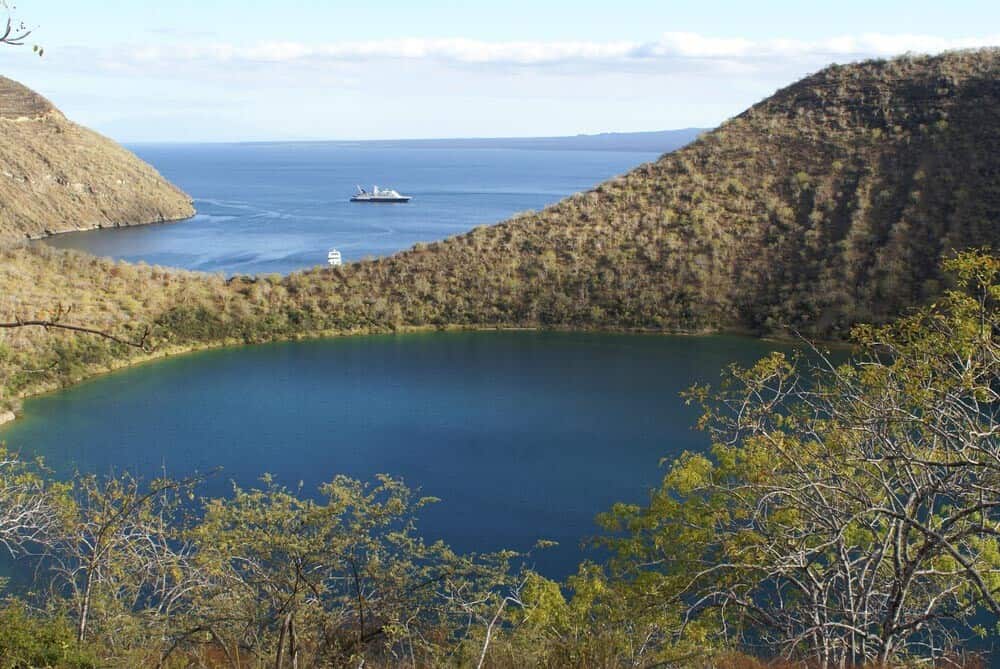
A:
{"points": [[338, 580]]}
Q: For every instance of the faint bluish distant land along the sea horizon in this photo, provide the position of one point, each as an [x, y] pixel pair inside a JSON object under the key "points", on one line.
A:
{"points": [[652, 142]]}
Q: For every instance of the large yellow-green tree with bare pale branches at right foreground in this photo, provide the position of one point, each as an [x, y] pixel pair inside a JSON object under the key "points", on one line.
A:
{"points": [[846, 513]]}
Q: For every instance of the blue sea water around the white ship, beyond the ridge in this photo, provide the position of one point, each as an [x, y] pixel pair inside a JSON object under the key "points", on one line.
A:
{"points": [[266, 208]]}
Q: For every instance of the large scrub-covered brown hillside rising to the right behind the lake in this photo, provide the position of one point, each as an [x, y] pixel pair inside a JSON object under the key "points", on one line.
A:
{"points": [[829, 203]]}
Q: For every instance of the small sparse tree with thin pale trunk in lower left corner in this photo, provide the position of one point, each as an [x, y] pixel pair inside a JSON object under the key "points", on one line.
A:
{"points": [[120, 560]]}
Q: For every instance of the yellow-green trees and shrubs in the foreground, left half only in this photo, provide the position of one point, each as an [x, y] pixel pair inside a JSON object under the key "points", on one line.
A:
{"points": [[263, 577]]}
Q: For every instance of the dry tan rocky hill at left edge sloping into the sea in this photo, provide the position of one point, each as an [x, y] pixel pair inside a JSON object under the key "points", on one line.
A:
{"points": [[57, 176]]}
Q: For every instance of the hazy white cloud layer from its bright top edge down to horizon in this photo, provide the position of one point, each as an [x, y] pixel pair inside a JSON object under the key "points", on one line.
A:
{"points": [[431, 87]]}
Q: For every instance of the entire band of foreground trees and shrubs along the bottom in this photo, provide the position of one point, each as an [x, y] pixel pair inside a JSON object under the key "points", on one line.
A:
{"points": [[845, 516]]}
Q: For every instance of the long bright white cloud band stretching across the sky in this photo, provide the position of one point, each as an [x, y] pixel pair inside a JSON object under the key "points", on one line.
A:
{"points": [[347, 63]]}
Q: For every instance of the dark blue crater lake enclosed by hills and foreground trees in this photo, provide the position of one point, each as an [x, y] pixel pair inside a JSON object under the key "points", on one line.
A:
{"points": [[522, 435]]}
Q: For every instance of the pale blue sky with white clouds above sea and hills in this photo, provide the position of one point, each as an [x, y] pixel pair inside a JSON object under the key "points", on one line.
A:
{"points": [[230, 70]]}
